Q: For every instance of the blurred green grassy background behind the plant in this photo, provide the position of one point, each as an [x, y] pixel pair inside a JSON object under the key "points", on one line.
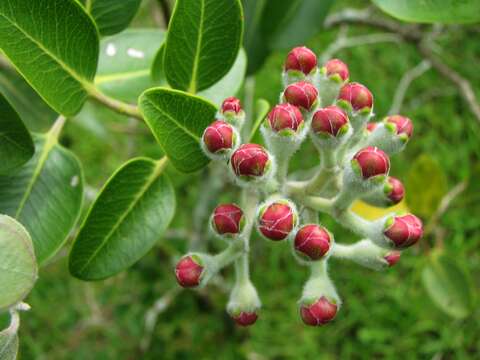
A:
{"points": [[389, 314]]}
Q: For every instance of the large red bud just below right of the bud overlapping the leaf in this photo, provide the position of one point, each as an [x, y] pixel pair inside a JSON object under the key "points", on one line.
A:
{"points": [[249, 160]]}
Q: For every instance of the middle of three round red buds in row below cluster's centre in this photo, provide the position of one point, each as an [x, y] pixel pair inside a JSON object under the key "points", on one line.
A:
{"points": [[277, 221]]}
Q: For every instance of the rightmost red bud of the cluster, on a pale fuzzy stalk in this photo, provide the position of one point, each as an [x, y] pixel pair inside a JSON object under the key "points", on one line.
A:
{"points": [[404, 231]]}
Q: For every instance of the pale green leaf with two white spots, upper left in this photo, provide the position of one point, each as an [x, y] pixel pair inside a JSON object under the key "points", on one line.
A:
{"points": [[125, 62]]}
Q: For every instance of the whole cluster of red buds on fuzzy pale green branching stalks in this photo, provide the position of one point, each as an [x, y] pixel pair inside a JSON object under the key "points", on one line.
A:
{"points": [[318, 103]]}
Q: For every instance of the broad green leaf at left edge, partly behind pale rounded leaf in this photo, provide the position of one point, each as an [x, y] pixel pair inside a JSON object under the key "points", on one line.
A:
{"points": [[45, 195]]}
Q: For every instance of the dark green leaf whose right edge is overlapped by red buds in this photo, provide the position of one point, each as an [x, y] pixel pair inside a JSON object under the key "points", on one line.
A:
{"points": [[177, 120]]}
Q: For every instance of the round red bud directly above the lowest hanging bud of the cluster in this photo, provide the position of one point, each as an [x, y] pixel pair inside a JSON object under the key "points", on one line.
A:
{"points": [[312, 241]]}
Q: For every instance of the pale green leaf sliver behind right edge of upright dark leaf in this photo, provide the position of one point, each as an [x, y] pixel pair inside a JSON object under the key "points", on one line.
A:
{"points": [[230, 84]]}
